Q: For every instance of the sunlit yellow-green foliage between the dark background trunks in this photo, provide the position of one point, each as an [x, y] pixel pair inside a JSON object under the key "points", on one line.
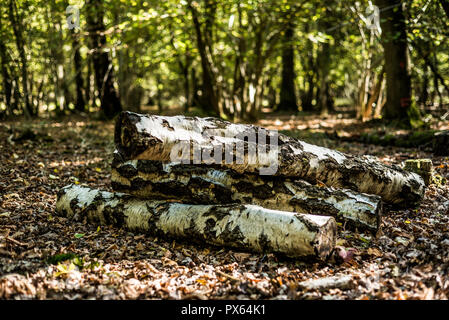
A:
{"points": [[154, 49]]}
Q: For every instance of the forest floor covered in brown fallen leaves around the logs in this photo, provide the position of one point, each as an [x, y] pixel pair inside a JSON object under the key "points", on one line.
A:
{"points": [[43, 256]]}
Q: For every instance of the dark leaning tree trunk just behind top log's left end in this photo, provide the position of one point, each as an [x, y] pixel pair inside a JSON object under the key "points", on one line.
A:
{"points": [[103, 69]]}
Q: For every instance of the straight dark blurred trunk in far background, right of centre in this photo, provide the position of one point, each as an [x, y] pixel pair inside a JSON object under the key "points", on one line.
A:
{"points": [[288, 91]]}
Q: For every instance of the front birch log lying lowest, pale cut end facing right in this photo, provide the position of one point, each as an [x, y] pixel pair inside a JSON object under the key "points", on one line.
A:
{"points": [[242, 226]]}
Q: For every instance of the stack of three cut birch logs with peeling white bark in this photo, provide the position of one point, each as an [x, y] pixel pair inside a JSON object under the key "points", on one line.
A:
{"points": [[294, 210]]}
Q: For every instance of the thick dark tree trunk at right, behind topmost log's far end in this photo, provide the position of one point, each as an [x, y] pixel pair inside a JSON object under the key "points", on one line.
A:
{"points": [[394, 41]]}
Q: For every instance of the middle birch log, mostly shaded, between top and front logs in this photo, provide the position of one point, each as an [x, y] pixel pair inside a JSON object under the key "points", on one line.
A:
{"points": [[198, 184]]}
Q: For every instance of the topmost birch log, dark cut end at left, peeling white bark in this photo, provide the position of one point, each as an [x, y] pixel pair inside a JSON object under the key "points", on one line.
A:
{"points": [[257, 150]]}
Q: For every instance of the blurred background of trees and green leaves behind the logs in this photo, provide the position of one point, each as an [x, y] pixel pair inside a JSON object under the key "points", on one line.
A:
{"points": [[237, 59]]}
